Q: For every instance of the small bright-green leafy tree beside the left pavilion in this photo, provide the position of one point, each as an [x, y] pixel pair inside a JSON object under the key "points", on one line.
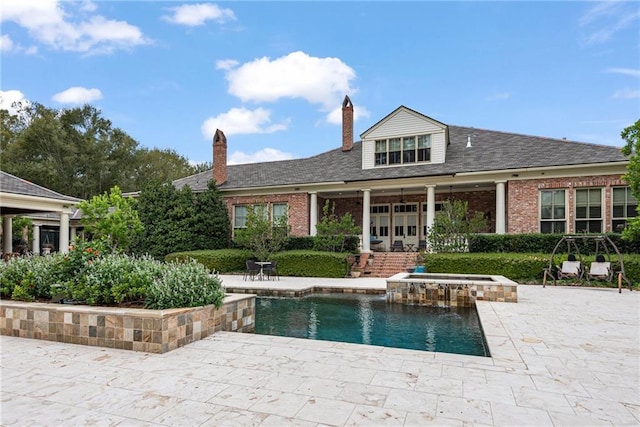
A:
{"points": [[111, 219]]}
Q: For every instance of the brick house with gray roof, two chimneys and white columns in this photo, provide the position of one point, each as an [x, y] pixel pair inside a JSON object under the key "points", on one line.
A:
{"points": [[395, 178]]}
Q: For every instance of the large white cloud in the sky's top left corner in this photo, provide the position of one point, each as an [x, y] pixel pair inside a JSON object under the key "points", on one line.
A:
{"points": [[49, 23]]}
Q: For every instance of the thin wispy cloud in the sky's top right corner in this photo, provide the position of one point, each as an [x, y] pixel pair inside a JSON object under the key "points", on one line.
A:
{"points": [[604, 19]]}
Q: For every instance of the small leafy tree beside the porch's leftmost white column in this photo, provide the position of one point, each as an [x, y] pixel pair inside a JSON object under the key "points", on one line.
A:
{"points": [[333, 232]]}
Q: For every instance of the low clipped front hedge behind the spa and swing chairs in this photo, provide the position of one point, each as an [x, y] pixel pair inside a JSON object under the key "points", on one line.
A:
{"points": [[519, 267]]}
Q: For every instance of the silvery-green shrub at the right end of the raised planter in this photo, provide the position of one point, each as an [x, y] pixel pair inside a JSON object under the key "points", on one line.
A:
{"points": [[185, 285]]}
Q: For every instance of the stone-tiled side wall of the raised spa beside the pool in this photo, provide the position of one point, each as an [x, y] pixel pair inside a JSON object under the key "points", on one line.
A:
{"points": [[449, 294]]}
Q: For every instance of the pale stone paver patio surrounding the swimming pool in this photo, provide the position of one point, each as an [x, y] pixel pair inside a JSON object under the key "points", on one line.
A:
{"points": [[561, 356]]}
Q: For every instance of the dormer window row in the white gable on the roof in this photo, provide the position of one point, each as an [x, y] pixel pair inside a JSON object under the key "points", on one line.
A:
{"points": [[406, 150]]}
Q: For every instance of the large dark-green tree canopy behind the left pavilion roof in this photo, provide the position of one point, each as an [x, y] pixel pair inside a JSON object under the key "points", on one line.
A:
{"points": [[80, 153]]}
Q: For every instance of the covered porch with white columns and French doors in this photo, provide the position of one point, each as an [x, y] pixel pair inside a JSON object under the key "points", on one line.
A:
{"points": [[397, 217]]}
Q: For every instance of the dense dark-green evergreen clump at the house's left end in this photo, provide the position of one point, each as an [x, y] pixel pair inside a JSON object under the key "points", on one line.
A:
{"points": [[179, 220]]}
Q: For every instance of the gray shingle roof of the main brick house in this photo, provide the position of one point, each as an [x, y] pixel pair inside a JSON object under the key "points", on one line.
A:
{"points": [[490, 150]]}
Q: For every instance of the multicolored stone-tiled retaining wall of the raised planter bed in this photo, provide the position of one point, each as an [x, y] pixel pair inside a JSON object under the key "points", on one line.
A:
{"points": [[153, 331]]}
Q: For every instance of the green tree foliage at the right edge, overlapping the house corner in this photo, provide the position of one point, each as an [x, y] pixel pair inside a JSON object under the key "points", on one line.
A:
{"points": [[631, 135]]}
